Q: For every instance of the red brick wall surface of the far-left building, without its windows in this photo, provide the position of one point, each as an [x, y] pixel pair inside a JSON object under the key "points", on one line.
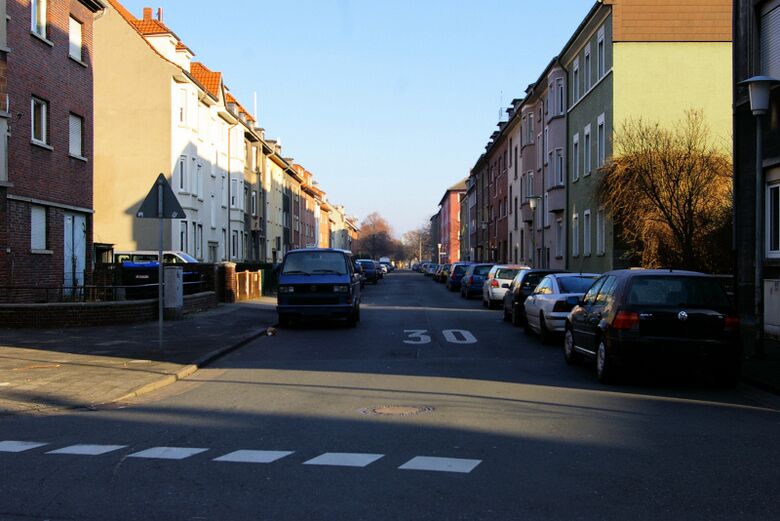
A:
{"points": [[46, 71]]}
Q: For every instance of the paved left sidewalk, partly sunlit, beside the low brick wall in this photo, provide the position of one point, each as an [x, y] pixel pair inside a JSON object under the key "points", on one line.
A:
{"points": [[43, 370]]}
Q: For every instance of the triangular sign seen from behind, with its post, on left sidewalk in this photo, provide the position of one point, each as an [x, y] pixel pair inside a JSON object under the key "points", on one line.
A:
{"points": [[161, 203]]}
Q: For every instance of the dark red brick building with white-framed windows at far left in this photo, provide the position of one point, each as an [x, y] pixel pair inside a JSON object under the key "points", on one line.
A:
{"points": [[46, 194]]}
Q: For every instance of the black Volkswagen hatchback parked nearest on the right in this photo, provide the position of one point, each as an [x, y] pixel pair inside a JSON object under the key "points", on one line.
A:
{"points": [[671, 319]]}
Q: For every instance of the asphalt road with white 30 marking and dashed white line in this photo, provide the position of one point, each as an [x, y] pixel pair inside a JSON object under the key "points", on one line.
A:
{"points": [[287, 429]]}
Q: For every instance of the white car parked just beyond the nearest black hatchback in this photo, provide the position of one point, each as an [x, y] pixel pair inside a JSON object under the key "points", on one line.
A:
{"points": [[555, 296]]}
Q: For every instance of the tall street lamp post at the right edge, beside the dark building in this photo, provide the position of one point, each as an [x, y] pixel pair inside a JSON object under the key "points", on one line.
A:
{"points": [[759, 88]]}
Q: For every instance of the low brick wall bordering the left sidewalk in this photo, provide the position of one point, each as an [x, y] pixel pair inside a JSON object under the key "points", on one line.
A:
{"points": [[91, 314]]}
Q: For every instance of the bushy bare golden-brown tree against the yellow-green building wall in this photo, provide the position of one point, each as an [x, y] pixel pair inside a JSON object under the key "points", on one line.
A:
{"points": [[669, 194]]}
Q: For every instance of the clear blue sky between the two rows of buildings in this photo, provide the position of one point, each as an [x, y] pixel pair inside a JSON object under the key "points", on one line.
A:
{"points": [[386, 102]]}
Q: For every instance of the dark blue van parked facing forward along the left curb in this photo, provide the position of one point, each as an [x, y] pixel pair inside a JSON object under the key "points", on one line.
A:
{"points": [[318, 283]]}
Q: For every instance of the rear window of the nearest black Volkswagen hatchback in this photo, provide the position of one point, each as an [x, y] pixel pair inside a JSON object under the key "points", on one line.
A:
{"points": [[677, 291]]}
